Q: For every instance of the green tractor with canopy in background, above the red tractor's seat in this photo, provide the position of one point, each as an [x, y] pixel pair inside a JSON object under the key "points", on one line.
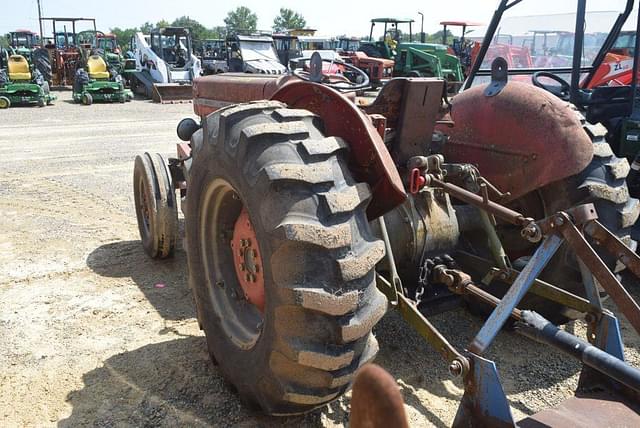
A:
{"points": [[411, 58]]}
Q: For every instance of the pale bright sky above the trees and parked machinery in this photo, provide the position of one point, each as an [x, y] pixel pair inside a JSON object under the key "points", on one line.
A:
{"points": [[329, 17]]}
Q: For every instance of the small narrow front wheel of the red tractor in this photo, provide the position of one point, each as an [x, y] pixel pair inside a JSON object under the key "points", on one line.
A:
{"points": [[156, 207]]}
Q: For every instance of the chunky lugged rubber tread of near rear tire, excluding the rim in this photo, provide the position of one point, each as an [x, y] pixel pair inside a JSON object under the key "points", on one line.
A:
{"points": [[325, 302]]}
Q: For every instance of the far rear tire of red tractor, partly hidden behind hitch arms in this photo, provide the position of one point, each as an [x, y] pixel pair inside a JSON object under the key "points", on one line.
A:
{"points": [[603, 183]]}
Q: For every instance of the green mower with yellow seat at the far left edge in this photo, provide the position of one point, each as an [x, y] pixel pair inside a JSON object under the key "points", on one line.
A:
{"points": [[22, 84]]}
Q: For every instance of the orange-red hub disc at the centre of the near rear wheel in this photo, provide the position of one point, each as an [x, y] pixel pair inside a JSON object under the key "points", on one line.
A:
{"points": [[247, 260]]}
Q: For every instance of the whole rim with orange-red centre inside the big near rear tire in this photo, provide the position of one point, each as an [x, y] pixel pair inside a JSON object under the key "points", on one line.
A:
{"points": [[233, 264]]}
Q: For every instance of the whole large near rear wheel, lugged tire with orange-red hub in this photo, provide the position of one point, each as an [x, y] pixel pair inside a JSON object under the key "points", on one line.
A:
{"points": [[281, 258]]}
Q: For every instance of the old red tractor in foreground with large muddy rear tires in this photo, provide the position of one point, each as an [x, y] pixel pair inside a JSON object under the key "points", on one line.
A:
{"points": [[308, 216]]}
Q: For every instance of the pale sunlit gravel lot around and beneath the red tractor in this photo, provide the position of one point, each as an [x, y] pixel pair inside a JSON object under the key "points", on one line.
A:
{"points": [[86, 337]]}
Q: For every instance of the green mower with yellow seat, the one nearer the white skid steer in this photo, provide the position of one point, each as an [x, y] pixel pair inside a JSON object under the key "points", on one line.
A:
{"points": [[98, 83]]}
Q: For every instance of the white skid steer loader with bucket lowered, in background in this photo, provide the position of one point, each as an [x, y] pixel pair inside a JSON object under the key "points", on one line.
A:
{"points": [[165, 64]]}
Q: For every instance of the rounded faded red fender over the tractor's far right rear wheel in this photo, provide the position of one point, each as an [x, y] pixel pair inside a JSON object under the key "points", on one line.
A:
{"points": [[520, 140]]}
